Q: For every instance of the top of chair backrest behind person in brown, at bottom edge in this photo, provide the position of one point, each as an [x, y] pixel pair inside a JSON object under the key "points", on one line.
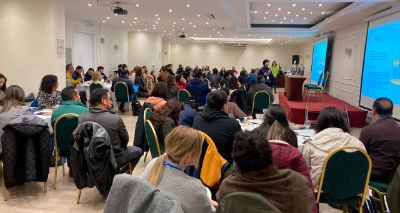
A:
{"points": [[245, 202]]}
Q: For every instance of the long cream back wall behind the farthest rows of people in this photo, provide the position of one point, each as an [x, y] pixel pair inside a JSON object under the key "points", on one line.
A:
{"points": [[217, 55]]}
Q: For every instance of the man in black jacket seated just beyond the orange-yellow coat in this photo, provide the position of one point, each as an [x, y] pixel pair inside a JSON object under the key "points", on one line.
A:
{"points": [[217, 124]]}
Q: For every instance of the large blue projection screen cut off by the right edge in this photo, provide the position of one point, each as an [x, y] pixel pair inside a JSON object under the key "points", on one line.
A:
{"points": [[381, 73]]}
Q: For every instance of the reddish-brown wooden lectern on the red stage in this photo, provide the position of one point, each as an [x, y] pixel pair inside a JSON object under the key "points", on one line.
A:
{"points": [[294, 87]]}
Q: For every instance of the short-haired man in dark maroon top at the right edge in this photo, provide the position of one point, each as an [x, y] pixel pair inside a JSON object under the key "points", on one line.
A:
{"points": [[382, 140]]}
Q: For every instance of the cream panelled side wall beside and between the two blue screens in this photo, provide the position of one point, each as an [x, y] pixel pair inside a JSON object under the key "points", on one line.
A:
{"points": [[346, 69]]}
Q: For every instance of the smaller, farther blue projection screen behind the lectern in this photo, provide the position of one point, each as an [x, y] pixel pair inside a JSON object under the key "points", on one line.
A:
{"points": [[318, 60]]}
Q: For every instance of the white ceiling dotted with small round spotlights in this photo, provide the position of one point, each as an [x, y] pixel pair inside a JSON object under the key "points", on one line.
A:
{"points": [[233, 18]]}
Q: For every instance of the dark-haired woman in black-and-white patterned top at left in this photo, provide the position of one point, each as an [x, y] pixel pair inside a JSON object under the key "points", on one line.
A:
{"points": [[48, 96]]}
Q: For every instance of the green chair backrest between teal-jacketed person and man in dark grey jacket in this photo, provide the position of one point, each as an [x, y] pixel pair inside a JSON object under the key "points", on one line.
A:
{"points": [[64, 126]]}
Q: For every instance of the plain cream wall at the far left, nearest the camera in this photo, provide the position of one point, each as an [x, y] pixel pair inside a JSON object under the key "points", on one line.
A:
{"points": [[28, 47]]}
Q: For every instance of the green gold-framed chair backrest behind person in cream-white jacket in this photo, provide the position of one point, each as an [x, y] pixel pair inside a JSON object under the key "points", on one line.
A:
{"points": [[345, 174]]}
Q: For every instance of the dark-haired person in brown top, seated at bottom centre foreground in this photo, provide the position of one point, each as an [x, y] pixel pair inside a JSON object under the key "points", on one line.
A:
{"points": [[285, 189]]}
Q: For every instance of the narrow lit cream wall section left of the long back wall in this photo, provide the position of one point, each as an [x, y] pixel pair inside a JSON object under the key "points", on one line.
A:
{"points": [[144, 49]]}
